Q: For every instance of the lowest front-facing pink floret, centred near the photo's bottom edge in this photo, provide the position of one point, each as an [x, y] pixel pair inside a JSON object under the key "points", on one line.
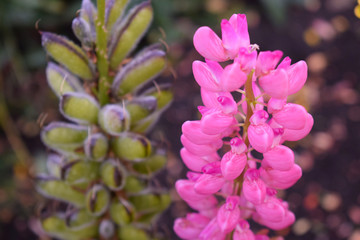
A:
{"points": [[229, 214]]}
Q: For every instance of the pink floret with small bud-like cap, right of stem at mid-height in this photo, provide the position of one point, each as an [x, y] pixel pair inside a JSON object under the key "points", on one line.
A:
{"points": [[260, 134]]}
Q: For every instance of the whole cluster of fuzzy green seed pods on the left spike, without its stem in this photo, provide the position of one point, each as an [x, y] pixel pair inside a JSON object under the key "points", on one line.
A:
{"points": [[102, 160]]}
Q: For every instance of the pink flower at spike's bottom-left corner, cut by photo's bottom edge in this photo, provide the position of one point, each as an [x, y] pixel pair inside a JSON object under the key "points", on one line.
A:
{"points": [[189, 228]]}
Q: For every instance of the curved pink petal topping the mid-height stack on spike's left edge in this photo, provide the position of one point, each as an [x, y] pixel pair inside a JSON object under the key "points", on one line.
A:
{"points": [[192, 131]]}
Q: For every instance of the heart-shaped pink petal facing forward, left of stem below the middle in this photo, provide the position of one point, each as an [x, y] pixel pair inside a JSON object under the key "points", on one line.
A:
{"points": [[232, 165]]}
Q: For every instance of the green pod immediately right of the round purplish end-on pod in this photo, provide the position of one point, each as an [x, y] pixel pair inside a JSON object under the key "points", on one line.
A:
{"points": [[140, 107]]}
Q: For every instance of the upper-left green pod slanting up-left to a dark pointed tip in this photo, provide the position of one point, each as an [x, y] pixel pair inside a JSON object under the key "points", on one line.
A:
{"points": [[67, 53]]}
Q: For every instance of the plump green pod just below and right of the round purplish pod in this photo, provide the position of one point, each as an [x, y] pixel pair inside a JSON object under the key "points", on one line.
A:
{"points": [[132, 147]]}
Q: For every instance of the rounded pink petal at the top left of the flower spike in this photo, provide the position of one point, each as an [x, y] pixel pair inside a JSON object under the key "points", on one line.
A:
{"points": [[209, 45]]}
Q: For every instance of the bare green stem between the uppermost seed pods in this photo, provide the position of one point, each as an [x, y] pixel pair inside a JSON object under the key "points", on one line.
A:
{"points": [[101, 52]]}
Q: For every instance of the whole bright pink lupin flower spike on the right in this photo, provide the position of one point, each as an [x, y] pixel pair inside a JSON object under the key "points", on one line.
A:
{"points": [[228, 191]]}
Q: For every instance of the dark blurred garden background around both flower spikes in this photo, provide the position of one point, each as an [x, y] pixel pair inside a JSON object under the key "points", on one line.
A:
{"points": [[326, 33]]}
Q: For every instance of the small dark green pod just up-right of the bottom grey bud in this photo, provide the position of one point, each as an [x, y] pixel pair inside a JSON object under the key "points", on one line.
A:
{"points": [[122, 212]]}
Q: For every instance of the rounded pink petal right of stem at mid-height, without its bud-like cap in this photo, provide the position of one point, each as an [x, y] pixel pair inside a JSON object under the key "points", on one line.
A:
{"points": [[261, 137]]}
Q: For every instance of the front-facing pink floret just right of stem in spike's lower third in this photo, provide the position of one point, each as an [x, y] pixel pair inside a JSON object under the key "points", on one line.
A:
{"points": [[254, 189]]}
